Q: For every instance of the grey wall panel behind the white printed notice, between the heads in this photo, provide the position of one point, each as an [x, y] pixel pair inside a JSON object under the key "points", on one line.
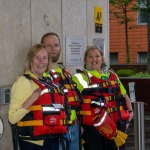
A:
{"points": [[74, 24]]}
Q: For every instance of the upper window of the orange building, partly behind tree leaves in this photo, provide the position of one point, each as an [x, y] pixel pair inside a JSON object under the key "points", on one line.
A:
{"points": [[142, 14]]}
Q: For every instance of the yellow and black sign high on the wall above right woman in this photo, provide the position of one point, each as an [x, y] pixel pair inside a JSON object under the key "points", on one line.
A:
{"points": [[98, 19]]}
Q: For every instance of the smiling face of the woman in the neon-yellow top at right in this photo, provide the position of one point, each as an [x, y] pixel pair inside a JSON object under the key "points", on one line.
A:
{"points": [[94, 59]]}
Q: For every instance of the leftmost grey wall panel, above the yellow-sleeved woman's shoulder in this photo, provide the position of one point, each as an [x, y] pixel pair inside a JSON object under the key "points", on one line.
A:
{"points": [[15, 38]]}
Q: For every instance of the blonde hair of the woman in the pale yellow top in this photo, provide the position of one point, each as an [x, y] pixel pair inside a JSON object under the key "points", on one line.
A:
{"points": [[32, 53]]}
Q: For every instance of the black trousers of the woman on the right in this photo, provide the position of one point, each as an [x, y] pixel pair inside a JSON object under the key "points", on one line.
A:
{"points": [[95, 141]]}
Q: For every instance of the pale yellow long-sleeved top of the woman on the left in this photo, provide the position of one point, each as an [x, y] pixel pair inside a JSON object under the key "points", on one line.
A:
{"points": [[20, 92]]}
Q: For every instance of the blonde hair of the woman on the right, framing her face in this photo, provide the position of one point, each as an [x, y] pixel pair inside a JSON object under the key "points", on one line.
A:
{"points": [[90, 48]]}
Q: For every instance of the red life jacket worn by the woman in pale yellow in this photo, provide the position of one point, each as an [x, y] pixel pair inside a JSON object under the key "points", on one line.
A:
{"points": [[47, 116]]}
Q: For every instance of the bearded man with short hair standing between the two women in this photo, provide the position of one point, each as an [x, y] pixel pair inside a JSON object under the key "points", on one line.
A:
{"points": [[60, 75]]}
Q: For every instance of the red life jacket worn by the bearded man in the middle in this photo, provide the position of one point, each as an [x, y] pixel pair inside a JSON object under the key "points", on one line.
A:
{"points": [[65, 79]]}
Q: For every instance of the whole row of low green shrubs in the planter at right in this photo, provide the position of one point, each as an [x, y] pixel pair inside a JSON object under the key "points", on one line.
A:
{"points": [[131, 73]]}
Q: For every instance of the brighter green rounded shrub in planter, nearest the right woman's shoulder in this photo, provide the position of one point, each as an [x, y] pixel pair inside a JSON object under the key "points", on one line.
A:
{"points": [[125, 72]]}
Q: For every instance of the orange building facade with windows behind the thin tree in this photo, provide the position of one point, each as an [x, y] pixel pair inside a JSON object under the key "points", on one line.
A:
{"points": [[137, 39]]}
